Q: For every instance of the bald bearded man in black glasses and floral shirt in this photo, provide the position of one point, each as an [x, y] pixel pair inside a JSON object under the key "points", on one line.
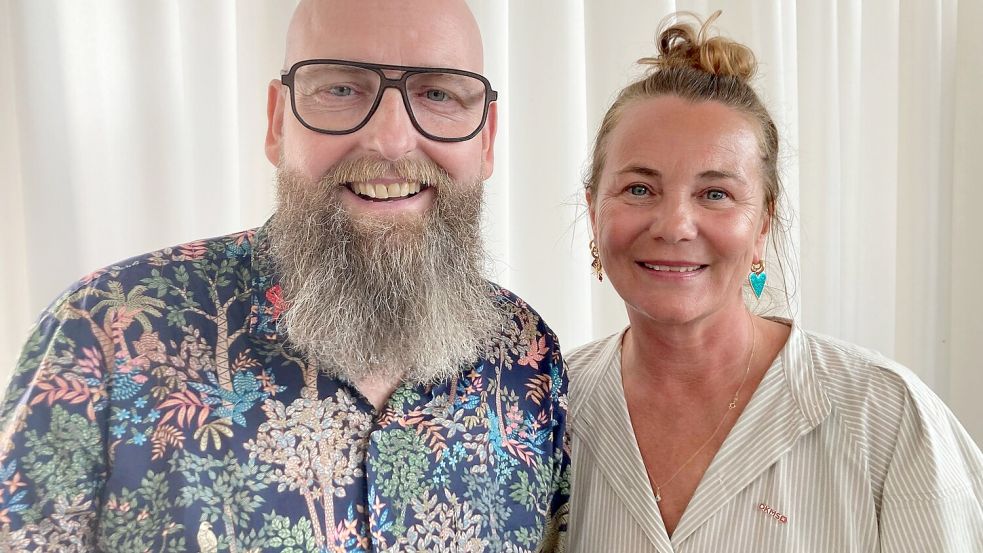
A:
{"points": [[342, 378]]}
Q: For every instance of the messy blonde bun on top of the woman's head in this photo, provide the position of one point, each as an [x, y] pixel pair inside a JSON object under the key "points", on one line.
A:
{"points": [[684, 45]]}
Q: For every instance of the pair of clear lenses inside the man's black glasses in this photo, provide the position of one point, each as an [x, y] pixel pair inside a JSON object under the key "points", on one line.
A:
{"points": [[337, 98]]}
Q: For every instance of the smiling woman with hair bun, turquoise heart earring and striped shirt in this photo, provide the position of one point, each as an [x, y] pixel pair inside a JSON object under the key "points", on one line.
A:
{"points": [[700, 410]]}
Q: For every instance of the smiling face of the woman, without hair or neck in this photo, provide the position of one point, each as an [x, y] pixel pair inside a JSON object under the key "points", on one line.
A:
{"points": [[698, 176]]}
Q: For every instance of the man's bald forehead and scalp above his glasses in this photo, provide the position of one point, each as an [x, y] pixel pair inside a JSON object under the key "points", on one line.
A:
{"points": [[426, 33]]}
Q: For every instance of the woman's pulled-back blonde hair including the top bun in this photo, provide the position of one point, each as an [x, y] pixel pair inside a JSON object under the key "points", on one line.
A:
{"points": [[697, 66]]}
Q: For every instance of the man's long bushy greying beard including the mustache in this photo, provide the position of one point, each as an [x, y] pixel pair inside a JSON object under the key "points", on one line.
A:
{"points": [[382, 296]]}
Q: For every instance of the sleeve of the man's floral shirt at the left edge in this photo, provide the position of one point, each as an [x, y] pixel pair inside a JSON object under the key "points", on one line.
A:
{"points": [[53, 458]]}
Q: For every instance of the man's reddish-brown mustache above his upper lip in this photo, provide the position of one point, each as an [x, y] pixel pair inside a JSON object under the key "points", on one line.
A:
{"points": [[363, 169]]}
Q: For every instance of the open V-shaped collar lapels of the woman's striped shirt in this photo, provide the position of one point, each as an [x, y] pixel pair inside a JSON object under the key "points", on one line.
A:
{"points": [[775, 425]]}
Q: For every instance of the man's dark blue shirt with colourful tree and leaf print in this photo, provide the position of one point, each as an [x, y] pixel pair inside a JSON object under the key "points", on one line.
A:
{"points": [[156, 408]]}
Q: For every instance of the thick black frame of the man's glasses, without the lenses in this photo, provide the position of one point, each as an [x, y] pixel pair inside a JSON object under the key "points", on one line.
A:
{"points": [[385, 83]]}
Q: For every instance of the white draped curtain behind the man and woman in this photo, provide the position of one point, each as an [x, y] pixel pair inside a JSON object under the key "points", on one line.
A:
{"points": [[128, 126]]}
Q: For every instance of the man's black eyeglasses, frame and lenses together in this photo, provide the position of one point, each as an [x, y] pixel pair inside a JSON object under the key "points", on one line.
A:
{"points": [[339, 97]]}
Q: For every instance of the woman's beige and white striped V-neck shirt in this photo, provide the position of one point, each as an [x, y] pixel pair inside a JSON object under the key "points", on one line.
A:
{"points": [[839, 450]]}
